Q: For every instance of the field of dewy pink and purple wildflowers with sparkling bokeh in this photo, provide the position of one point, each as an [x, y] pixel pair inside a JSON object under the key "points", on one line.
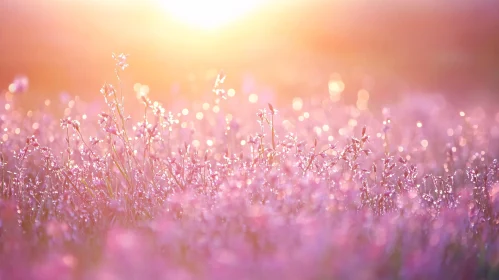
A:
{"points": [[231, 188]]}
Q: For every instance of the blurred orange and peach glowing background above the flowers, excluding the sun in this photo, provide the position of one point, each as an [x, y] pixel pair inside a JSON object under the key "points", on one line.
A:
{"points": [[387, 47]]}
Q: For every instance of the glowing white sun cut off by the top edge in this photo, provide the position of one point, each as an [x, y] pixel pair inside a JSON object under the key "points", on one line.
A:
{"points": [[209, 14]]}
